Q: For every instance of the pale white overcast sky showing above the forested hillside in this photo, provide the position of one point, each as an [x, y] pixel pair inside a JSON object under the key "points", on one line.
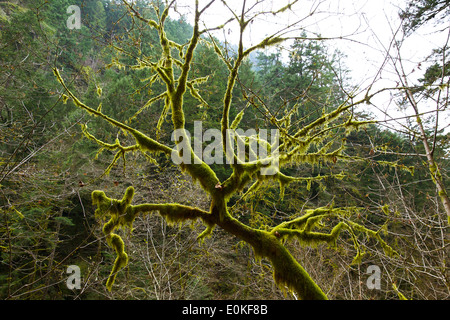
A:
{"points": [[367, 27]]}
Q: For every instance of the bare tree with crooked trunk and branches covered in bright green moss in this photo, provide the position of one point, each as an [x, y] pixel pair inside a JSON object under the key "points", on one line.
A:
{"points": [[320, 141]]}
